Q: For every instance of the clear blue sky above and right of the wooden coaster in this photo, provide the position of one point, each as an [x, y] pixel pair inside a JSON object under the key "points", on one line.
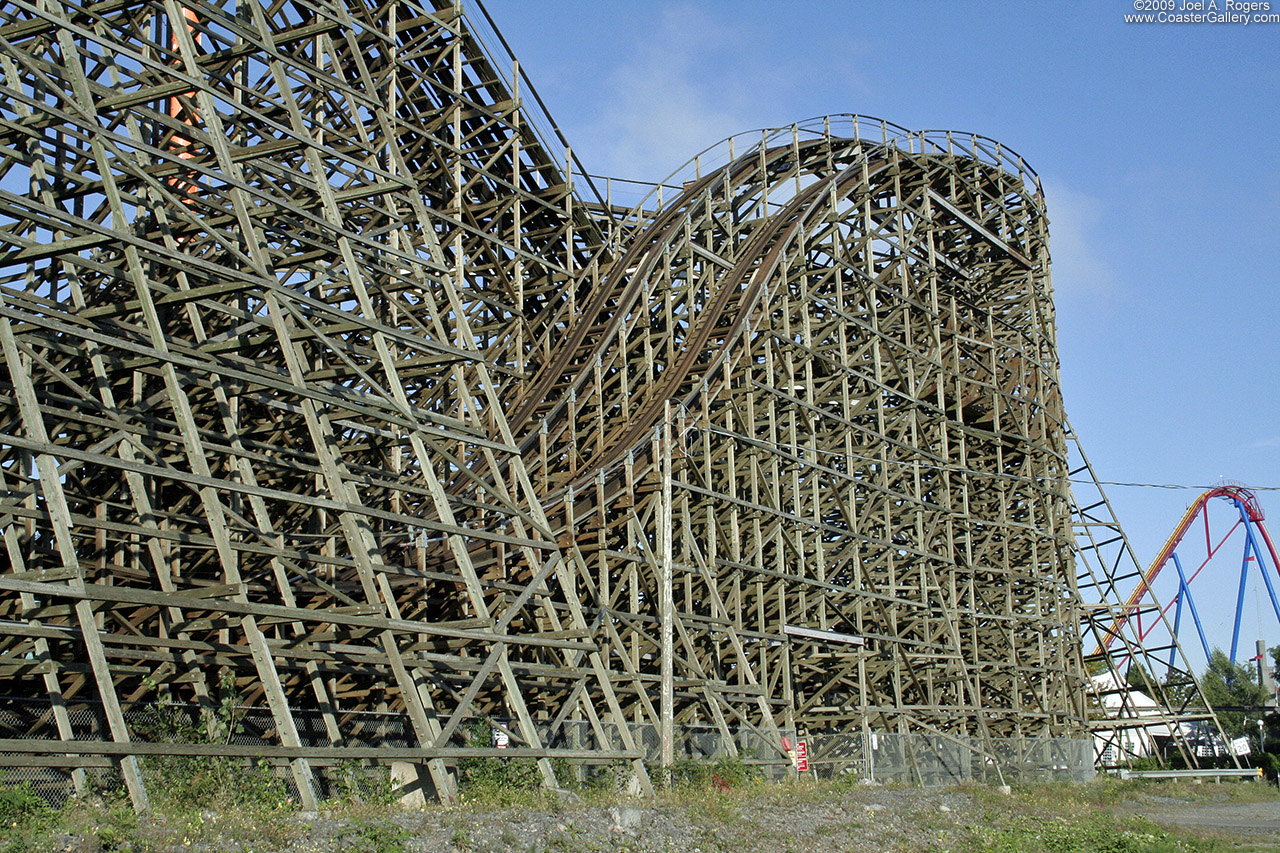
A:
{"points": [[1158, 147]]}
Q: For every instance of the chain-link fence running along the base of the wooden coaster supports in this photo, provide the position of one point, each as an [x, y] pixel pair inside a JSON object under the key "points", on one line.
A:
{"points": [[912, 759]]}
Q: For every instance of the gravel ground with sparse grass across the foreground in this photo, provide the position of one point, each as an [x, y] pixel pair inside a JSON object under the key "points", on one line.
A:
{"points": [[774, 820]]}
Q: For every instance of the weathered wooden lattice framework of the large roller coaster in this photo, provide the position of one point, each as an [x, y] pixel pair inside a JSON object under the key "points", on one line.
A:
{"points": [[322, 377]]}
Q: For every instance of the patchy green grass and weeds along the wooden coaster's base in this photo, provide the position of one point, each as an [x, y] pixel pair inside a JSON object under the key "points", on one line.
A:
{"points": [[258, 815]]}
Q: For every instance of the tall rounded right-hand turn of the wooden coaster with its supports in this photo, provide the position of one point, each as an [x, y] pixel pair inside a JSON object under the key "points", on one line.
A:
{"points": [[857, 332]]}
